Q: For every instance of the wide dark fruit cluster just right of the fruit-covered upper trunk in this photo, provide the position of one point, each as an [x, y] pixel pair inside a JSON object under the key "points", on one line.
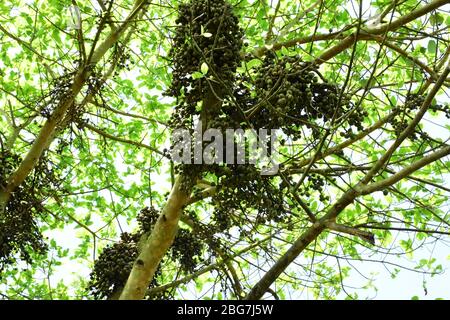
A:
{"points": [[291, 96]]}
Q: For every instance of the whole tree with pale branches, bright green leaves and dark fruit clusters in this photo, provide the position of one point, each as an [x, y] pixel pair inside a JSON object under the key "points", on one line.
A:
{"points": [[92, 93]]}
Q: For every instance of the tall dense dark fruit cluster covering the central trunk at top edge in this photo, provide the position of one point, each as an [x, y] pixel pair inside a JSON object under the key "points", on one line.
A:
{"points": [[205, 54]]}
